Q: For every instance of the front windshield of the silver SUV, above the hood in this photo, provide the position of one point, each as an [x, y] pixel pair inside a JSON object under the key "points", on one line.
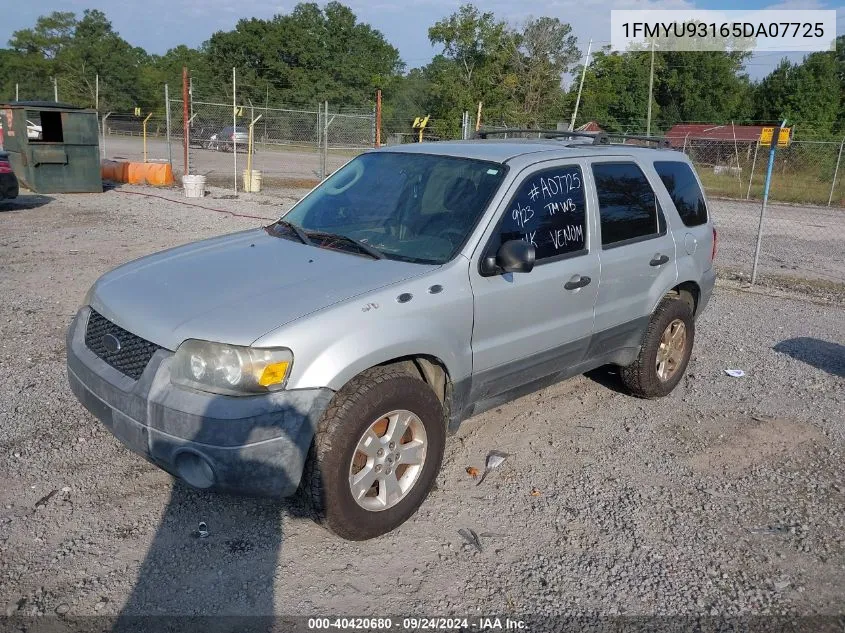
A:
{"points": [[412, 207]]}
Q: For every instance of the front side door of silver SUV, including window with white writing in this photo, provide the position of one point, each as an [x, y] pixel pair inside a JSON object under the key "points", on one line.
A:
{"points": [[532, 325]]}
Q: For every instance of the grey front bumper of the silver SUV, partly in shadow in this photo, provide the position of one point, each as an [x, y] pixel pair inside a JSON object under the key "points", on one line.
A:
{"points": [[252, 445]]}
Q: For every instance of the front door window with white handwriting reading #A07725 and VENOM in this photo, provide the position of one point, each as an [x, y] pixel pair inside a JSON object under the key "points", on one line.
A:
{"points": [[548, 212]]}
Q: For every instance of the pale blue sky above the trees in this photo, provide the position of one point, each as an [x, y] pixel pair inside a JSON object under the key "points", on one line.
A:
{"points": [[157, 25]]}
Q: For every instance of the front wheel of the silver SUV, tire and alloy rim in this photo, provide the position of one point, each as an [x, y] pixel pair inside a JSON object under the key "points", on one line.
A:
{"points": [[326, 487]]}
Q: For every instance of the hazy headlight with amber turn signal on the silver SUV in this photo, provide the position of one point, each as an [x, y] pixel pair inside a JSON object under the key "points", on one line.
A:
{"points": [[230, 369]]}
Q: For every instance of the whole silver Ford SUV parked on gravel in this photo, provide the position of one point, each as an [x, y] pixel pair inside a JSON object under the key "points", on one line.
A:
{"points": [[332, 352]]}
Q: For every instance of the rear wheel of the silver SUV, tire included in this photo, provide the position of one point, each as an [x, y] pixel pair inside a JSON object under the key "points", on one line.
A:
{"points": [[643, 377]]}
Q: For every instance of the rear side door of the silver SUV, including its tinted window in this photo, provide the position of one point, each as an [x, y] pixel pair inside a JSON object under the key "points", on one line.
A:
{"points": [[638, 262]]}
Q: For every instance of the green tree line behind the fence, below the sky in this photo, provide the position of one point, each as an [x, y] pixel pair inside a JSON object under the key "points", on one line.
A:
{"points": [[319, 53]]}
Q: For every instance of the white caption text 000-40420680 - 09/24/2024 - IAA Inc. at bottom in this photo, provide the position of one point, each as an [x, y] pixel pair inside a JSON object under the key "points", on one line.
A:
{"points": [[479, 623]]}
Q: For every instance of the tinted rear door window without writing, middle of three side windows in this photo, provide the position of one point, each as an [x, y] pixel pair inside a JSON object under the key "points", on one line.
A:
{"points": [[627, 204]]}
